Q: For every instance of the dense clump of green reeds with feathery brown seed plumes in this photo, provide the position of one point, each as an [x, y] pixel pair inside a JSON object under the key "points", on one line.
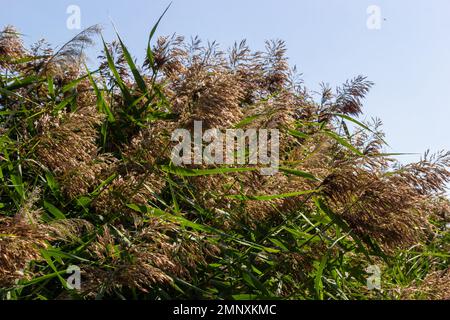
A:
{"points": [[86, 180]]}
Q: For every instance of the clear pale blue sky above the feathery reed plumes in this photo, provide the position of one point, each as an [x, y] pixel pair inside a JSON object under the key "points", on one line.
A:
{"points": [[408, 58]]}
